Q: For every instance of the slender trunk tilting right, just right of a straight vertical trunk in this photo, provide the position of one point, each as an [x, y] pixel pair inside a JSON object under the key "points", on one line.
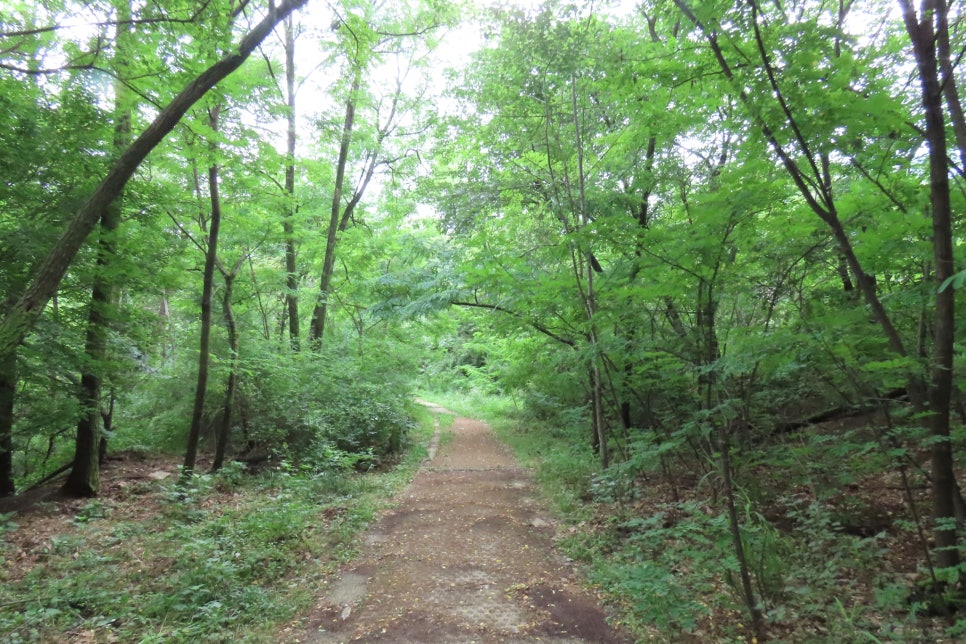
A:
{"points": [[335, 215]]}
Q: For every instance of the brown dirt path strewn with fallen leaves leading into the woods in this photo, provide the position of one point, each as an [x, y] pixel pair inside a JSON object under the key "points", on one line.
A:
{"points": [[466, 556]]}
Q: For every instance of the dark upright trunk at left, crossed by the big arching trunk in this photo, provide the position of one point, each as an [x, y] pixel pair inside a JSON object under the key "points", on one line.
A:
{"points": [[85, 476]]}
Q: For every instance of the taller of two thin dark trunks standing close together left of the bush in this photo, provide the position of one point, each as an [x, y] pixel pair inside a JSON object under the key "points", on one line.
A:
{"points": [[197, 415]]}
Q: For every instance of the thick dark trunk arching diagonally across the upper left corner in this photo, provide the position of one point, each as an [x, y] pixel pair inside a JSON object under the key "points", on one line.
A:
{"points": [[20, 318]]}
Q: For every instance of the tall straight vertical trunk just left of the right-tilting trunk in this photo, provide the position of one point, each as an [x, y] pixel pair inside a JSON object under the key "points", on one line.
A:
{"points": [[288, 225]]}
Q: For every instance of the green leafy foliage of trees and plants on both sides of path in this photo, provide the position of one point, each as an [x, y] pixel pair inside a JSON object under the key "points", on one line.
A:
{"points": [[604, 197]]}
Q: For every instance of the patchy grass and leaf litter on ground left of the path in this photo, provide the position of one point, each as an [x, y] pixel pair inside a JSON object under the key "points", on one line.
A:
{"points": [[232, 558]]}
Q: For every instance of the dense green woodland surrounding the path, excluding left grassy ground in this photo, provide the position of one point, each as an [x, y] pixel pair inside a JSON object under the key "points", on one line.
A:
{"points": [[706, 249]]}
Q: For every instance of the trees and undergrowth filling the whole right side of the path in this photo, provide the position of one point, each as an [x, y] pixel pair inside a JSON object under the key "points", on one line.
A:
{"points": [[710, 252]]}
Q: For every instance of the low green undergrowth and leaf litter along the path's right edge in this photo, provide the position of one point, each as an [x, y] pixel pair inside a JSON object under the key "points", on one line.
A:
{"points": [[666, 561]]}
